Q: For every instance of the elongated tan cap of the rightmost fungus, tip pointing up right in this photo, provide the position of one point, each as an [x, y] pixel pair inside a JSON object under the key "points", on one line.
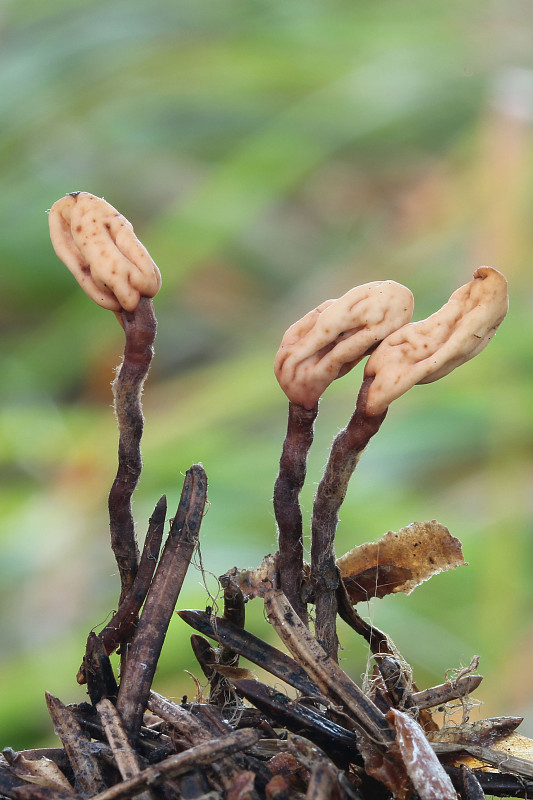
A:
{"points": [[422, 352]]}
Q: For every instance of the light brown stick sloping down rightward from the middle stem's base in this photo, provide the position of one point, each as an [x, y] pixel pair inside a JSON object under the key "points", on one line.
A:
{"points": [[327, 674]]}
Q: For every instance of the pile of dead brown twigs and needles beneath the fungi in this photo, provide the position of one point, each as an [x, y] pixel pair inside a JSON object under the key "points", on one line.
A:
{"points": [[251, 740]]}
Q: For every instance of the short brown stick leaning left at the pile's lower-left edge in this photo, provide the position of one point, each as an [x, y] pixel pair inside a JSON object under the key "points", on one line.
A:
{"points": [[86, 769]]}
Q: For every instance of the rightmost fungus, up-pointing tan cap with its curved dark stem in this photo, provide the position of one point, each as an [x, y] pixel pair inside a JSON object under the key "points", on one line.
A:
{"points": [[417, 352]]}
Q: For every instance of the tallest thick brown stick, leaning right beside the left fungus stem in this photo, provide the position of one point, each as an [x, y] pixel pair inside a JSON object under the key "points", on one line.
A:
{"points": [[145, 649]]}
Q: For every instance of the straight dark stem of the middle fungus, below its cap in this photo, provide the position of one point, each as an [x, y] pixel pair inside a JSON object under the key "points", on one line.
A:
{"points": [[291, 477]]}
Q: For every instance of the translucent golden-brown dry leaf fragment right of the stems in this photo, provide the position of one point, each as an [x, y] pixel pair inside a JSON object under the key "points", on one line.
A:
{"points": [[400, 561]]}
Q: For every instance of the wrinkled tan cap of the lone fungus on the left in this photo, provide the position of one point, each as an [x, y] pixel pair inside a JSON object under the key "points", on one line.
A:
{"points": [[99, 247]]}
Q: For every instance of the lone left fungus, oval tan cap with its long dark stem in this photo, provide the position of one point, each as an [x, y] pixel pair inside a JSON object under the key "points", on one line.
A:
{"points": [[99, 247]]}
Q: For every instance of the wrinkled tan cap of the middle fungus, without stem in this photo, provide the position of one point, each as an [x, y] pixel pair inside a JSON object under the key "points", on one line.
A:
{"points": [[328, 341]]}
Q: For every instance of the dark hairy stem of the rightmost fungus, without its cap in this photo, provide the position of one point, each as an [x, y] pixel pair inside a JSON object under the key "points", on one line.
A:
{"points": [[345, 453]]}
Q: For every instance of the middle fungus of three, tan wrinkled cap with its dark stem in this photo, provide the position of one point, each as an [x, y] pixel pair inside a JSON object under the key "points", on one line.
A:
{"points": [[322, 346]]}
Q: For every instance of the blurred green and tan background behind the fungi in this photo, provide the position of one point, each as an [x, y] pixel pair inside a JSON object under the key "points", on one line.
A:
{"points": [[270, 154]]}
